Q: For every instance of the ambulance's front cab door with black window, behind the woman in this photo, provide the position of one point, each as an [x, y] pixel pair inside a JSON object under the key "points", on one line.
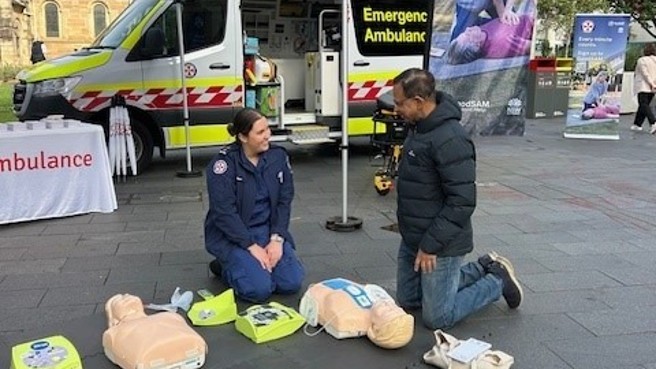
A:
{"points": [[213, 65]]}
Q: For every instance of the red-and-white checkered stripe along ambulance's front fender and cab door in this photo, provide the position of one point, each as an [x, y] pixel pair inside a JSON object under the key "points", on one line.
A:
{"points": [[161, 98]]}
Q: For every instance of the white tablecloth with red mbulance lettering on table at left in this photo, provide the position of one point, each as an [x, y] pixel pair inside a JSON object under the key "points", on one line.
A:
{"points": [[48, 173]]}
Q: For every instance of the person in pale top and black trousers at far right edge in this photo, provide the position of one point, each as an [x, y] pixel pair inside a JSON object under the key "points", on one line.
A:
{"points": [[644, 85]]}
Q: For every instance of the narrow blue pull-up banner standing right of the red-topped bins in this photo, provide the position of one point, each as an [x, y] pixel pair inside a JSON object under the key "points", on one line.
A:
{"points": [[599, 49]]}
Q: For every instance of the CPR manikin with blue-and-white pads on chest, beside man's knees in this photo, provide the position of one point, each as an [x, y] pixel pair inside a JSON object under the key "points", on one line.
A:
{"points": [[347, 309]]}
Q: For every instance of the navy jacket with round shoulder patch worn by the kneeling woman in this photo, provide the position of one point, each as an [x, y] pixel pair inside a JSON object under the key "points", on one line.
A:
{"points": [[232, 189]]}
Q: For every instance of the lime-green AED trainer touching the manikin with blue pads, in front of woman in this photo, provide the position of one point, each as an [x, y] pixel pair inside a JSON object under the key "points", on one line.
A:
{"points": [[268, 322]]}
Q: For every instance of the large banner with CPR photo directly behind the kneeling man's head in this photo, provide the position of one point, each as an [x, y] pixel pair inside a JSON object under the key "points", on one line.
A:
{"points": [[479, 53]]}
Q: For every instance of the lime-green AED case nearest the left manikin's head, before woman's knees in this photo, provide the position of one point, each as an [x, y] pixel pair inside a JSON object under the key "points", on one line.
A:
{"points": [[215, 310]]}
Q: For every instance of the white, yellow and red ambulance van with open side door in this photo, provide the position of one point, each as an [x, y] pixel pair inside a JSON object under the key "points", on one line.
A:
{"points": [[280, 56]]}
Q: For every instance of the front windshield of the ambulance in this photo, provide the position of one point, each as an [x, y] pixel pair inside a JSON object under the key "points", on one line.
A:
{"points": [[113, 36]]}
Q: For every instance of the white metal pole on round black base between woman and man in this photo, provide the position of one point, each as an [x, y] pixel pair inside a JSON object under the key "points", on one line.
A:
{"points": [[344, 223]]}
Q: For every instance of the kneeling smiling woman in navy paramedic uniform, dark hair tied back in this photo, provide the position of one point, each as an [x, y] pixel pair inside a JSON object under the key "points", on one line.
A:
{"points": [[250, 188]]}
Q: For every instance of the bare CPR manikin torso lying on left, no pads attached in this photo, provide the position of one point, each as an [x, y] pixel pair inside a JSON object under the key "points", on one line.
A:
{"points": [[137, 340]]}
